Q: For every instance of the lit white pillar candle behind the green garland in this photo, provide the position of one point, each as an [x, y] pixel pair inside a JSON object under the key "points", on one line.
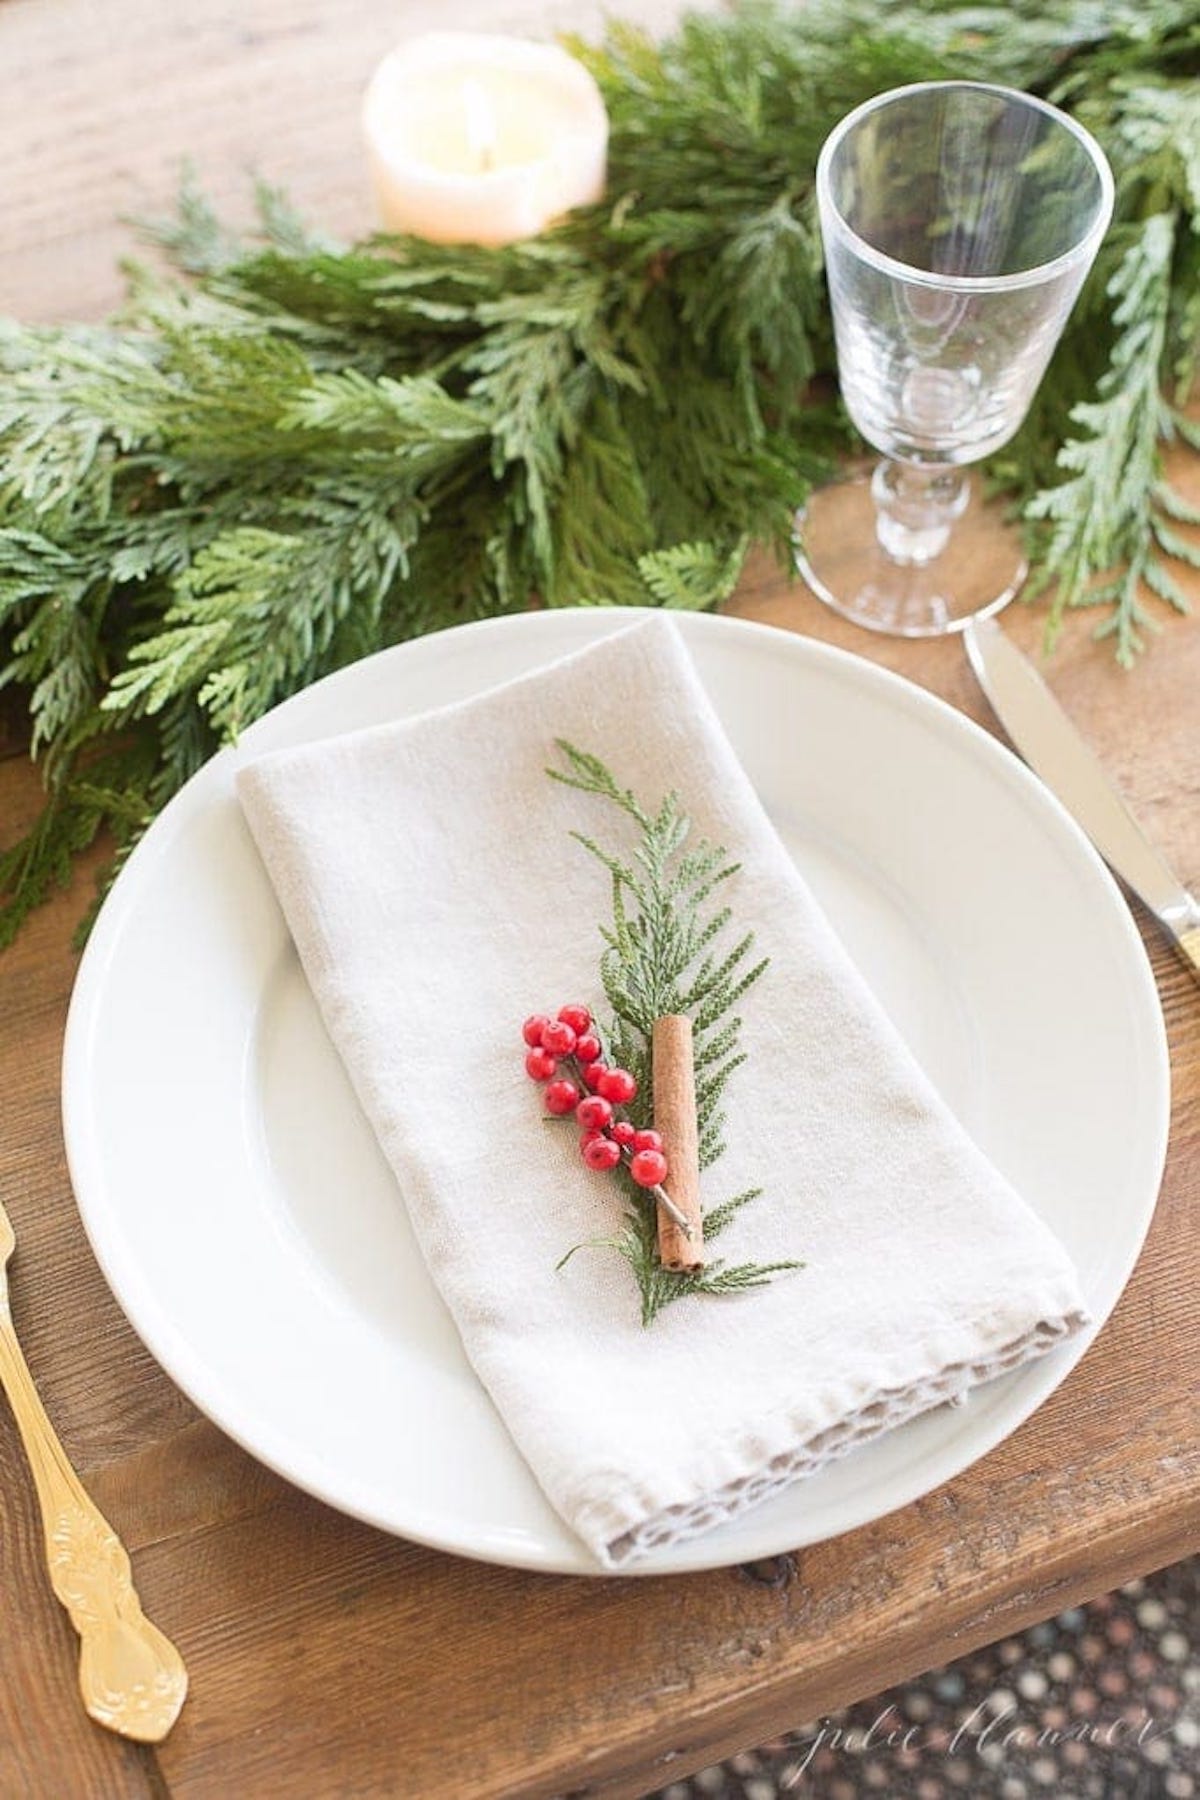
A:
{"points": [[483, 139]]}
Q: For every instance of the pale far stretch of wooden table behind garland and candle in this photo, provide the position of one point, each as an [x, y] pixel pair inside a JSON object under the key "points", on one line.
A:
{"points": [[103, 102]]}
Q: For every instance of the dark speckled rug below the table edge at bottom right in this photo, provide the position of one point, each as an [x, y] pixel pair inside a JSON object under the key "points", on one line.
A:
{"points": [[1100, 1704]]}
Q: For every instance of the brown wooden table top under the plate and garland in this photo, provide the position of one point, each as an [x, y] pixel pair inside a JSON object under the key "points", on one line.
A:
{"points": [[325, 1657]]}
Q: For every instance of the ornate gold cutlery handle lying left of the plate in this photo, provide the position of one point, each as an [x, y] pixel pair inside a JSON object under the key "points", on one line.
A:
{"points": [[130, 1677]]}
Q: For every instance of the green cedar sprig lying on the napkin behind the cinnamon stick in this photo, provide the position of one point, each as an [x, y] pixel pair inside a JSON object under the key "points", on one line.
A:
{"points": [[663, 957]]}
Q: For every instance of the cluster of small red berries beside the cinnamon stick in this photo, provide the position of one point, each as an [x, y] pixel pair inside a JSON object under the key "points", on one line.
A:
{"points": [[605, 1138]]}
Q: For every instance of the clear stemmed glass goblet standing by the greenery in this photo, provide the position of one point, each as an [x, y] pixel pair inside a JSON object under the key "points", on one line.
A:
{"points": [[958, 222]]}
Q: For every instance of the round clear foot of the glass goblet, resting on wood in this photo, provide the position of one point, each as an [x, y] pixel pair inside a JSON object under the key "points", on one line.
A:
{"points": [[845, 564]]}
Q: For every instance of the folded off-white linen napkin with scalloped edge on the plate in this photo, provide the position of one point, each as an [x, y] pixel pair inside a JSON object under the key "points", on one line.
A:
{"points": [[436, 897]]}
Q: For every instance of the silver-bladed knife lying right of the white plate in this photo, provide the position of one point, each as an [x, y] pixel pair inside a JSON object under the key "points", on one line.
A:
{"points": [[1053, 748]]}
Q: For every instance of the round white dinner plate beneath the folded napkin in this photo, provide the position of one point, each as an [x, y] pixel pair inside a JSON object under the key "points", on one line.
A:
{"points": [[249, 1225]]}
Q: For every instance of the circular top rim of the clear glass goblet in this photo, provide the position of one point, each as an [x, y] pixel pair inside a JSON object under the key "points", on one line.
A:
{"points": [[927, 278]]}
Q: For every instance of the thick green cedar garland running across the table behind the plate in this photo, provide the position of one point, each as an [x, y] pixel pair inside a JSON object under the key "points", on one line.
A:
{"points": [[287, 454]]}
